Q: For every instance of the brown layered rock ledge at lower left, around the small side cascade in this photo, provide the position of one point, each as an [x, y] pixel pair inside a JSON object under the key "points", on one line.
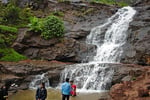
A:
{"points": [[23, 72]]}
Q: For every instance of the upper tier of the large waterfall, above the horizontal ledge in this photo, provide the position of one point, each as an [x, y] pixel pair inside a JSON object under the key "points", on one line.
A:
{"points": [[115, 36]]}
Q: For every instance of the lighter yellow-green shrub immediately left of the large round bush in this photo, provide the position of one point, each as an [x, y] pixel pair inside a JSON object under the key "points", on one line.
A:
{"points": [[35, 24]]}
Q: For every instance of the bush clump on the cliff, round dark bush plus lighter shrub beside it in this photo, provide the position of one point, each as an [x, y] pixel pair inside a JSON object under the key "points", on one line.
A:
{"points": [[49, 27]]}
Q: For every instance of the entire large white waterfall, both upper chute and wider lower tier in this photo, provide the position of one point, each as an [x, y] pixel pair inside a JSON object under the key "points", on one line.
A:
{"points": [[97, 74]]}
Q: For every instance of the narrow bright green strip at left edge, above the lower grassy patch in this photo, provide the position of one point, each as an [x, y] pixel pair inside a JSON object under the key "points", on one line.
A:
{"points": [[5, 29]]}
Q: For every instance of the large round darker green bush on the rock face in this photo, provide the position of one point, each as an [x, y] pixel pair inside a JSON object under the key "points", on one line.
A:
{"points": [[52, 27]]}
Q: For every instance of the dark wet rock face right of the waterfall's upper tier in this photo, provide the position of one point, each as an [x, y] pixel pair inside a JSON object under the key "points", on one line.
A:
{"points": [[137, 49]]}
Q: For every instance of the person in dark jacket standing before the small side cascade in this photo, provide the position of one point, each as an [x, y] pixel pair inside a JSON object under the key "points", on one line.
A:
{"points": [[41, 93]]}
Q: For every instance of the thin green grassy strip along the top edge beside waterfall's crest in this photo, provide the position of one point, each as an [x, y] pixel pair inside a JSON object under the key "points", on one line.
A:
{"points": [[110, 2]]}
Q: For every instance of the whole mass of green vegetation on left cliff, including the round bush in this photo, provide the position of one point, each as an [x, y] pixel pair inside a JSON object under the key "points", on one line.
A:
{"points": [[12, 17]]}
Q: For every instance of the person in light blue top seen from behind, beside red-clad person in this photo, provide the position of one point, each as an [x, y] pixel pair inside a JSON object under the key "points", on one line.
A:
{"points": [[66, 89]]}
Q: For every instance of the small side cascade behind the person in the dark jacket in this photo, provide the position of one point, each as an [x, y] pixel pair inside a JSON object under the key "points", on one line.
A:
{"points": [[37, 81]]}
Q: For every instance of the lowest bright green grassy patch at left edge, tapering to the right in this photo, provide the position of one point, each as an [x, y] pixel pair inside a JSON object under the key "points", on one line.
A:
{"points": [[9, 54]]}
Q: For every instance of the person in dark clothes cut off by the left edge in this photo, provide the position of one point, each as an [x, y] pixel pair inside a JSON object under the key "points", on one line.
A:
{"points": [[3, 93]]}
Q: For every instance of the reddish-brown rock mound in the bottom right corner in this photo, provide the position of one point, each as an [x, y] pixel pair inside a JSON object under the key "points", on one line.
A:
{"points": [[137, 89]]}
